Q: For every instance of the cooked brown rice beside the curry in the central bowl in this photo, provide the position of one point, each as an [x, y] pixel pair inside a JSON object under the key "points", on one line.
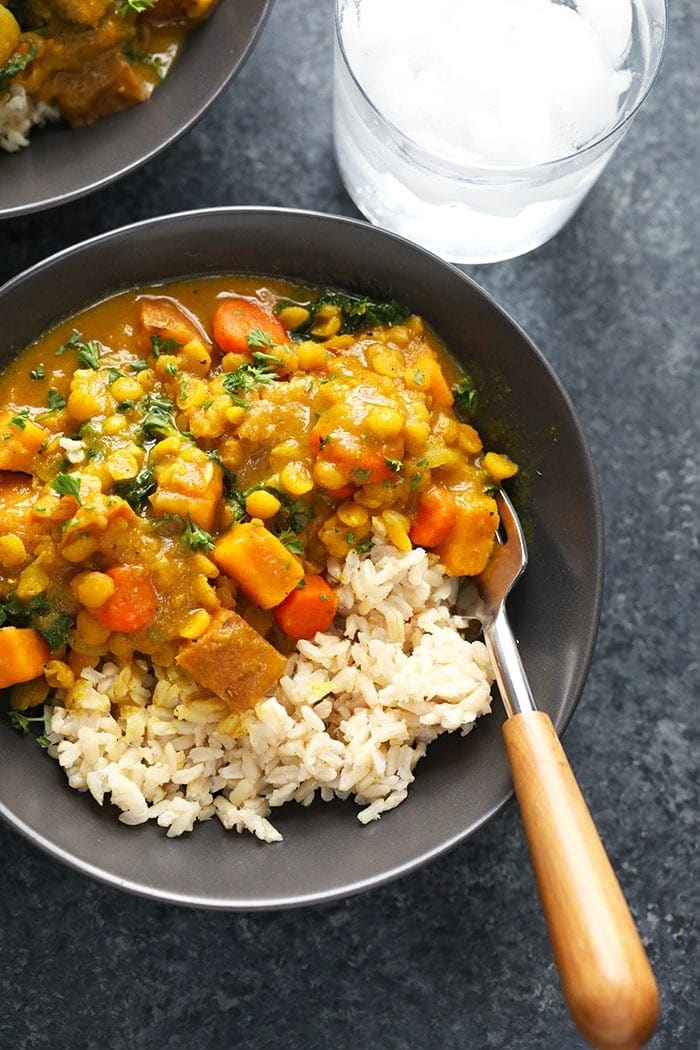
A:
{"points": [[353, 715]]}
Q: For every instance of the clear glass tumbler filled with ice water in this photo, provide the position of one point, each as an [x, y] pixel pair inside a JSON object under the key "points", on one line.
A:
{"points": [[477, 128]]}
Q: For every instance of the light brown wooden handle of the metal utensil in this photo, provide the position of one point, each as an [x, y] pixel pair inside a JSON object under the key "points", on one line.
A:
{"points": [[604, 970]]}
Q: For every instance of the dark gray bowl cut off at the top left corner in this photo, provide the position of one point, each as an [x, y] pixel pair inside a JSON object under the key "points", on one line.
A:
{"points": [[63, 163]]}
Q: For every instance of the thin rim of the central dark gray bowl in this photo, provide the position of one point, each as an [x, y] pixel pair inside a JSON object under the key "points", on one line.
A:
{"points": [[587, 647]]}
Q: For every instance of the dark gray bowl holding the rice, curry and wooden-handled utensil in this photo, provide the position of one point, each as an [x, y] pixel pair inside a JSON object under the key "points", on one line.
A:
{"points": [[463, 782]]}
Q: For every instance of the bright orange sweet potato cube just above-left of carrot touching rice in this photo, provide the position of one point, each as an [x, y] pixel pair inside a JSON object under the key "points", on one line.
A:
{"points": [[260, 563]]}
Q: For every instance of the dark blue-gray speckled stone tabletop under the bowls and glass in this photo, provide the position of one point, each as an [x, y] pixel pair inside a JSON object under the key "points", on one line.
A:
{"points": [[456, 956]]}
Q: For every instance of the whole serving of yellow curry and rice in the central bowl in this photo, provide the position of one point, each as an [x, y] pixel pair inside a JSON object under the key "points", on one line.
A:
{"points": [[235, 519]]}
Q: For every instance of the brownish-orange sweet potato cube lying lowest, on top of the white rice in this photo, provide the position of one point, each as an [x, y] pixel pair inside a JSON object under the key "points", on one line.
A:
{"points": [[234, 661]]}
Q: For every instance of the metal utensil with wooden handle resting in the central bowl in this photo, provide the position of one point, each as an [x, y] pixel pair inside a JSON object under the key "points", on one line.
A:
{"points": [[605, 974]]}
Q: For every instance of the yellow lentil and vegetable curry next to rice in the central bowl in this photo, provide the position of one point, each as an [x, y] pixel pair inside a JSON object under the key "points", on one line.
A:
{"points": [[179, 463]]}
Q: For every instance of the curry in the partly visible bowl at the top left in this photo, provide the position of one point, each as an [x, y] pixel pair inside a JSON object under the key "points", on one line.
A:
{"points": [[92, 58]]}
